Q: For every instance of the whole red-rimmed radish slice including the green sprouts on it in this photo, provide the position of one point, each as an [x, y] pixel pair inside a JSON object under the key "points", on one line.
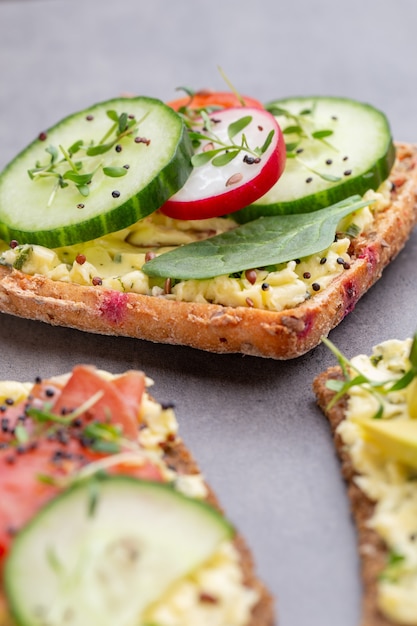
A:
{"points": [[220, 184]]}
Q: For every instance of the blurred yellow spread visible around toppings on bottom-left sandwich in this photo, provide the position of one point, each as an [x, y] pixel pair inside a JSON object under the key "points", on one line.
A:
{"points": [[215, 594]]}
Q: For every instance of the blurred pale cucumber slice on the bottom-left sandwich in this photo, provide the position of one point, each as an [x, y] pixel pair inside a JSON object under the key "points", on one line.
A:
{"points": [[102, 551]]}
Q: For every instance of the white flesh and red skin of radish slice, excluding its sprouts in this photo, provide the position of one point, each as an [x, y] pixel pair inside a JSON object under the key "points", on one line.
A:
{"points": [[213, 191]]}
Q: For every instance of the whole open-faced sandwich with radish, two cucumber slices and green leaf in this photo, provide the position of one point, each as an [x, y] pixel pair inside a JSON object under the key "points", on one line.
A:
{"points": [[215, 222]]}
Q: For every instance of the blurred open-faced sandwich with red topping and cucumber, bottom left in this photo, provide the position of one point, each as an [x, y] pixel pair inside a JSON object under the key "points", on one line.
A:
{"points": [[105, 517]]}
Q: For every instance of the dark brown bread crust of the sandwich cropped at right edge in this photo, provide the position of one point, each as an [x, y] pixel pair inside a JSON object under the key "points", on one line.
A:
{"points": [[372, 550]]}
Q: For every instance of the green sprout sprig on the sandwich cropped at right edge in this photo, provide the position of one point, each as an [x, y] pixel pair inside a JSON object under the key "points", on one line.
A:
{"points": [[353, 377]]}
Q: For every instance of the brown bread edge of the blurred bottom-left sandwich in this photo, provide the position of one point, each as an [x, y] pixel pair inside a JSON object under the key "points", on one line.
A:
{"points": [[263, 614]]}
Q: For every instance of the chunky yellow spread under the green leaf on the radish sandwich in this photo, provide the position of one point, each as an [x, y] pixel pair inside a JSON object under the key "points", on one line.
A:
{"points": [[115, 262]]}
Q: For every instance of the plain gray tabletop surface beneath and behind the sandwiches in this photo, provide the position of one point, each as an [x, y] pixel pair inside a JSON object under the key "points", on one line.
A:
{"points": [[252, 423]]}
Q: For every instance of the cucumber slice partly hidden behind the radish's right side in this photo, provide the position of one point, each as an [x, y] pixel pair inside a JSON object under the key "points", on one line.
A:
{"points": [[336, 147]]}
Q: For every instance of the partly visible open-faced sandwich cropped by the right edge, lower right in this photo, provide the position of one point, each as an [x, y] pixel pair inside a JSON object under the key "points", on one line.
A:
{"points": [[371, 402]]}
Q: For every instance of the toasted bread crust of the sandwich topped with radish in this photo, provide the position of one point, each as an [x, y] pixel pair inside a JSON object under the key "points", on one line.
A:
{"points": [[215, 328]]}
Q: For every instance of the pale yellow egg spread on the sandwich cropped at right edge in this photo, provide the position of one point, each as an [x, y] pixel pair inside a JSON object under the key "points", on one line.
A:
{"points": [[383, 451]]}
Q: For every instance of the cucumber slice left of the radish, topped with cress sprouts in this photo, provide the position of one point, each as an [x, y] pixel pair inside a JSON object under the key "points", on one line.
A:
{"points": [[144, 157]]}
